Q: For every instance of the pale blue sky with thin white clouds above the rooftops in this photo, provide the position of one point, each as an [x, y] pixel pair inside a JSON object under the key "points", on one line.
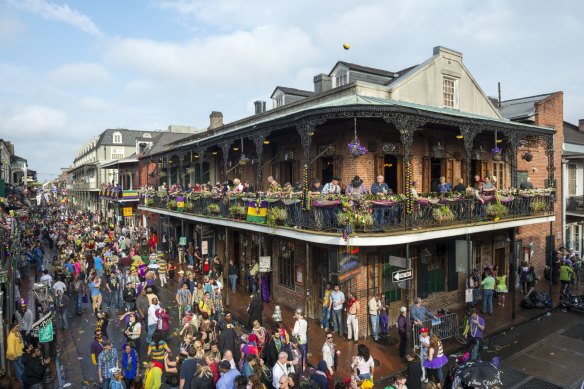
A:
{"points": [[70, 69]]}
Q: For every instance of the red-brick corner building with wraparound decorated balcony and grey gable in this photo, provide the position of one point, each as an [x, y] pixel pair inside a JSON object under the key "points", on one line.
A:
{"points": [[415, 125]]}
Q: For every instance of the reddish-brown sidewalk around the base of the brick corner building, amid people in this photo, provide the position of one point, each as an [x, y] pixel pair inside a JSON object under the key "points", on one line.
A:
{"points": [[386, 351]]}
